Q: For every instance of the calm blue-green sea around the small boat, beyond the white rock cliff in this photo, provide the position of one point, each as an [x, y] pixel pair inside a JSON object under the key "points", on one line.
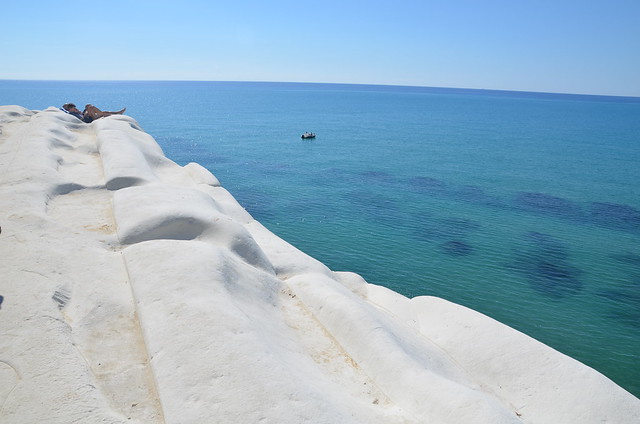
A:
{"points": [[523, 206]]}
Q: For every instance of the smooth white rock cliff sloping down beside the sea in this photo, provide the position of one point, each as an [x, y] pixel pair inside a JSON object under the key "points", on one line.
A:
{"points": [[136, 290]]}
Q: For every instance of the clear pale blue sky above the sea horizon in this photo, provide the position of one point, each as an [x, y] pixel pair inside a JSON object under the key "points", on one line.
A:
{"points": [[567, 46]]}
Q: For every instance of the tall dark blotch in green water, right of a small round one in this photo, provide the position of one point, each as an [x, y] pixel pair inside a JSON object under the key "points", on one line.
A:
{"points": [[545, 263]]}
